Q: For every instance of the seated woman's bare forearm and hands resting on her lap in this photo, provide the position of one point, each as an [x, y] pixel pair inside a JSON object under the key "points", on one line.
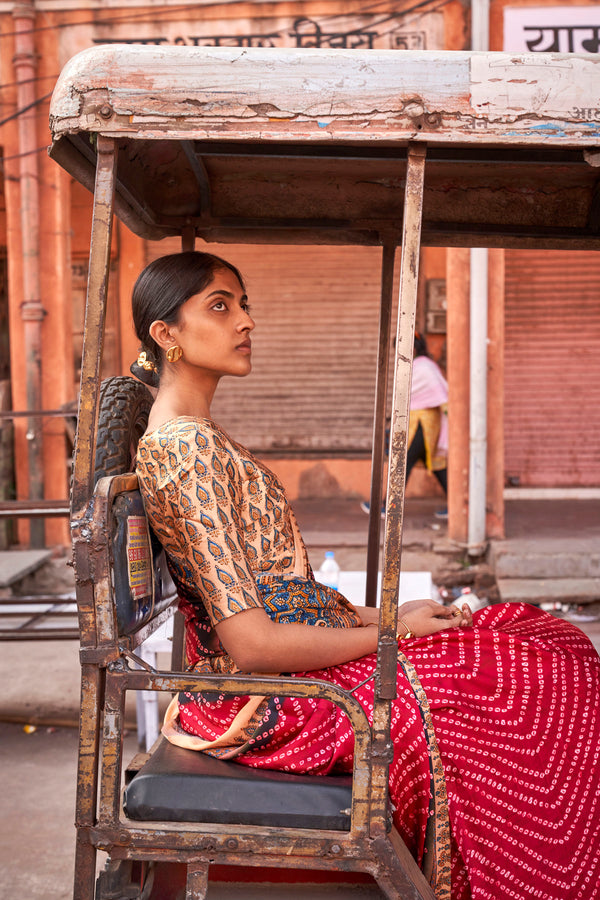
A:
{"points": [[257, 644]]}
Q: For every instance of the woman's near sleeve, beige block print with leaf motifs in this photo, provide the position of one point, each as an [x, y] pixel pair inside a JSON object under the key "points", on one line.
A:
{"points": [[206, 497]]}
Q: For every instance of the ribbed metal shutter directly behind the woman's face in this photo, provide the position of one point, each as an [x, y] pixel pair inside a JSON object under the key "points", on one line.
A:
{"points": [[314, 348]]}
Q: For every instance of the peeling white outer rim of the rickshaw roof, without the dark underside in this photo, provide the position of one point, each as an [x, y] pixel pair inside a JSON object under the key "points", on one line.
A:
{"points": [[315, 94]]}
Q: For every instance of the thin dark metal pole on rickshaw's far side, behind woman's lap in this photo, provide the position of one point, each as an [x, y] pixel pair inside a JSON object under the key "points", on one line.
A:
{"points": [[377, 458]]}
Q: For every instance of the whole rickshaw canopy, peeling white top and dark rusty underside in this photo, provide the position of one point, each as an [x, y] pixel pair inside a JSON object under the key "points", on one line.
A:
{"points": [[309, 146]]}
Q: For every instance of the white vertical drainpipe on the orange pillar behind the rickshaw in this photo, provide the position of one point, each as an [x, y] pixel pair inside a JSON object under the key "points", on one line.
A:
{"points": [[480, 17]]}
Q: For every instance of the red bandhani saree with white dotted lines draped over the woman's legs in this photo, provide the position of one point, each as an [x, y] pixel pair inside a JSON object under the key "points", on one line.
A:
{"points": [[515, 706]]}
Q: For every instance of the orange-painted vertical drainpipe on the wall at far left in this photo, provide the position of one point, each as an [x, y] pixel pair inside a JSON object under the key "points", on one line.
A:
{"points": [[32, 311]]}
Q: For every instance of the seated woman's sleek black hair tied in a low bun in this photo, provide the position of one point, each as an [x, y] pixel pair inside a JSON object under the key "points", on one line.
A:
{"points": [[159, 293]]}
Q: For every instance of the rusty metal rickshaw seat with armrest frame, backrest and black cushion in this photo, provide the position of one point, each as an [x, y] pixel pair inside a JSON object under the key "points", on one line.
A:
{"points": [[183, 805]]}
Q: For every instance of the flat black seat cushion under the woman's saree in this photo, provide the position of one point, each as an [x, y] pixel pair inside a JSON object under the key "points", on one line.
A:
{"points": [[178, 785]]}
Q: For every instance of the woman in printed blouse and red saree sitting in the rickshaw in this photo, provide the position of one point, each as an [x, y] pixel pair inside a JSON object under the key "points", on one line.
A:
{"points": [[513, 692]]}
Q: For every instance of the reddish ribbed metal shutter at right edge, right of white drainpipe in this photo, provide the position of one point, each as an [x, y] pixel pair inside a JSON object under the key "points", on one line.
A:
{"points": [[552, 368]]}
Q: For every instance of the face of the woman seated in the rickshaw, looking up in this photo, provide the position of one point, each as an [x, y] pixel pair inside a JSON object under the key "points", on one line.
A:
{"points": [[213, 328]]}
